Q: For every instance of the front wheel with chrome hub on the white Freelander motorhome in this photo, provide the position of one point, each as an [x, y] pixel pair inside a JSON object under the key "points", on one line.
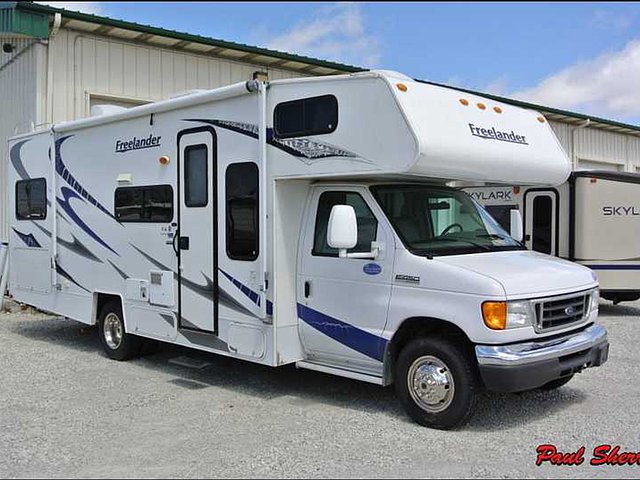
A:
{"points": [[454, 399]]}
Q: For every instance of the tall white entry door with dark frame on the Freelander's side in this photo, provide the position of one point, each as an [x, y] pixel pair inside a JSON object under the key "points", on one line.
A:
{"points": [[196, 239]]}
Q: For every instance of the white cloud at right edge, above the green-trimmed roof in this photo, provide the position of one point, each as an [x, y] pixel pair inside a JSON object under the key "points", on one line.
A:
{"points": [[607, 85]]}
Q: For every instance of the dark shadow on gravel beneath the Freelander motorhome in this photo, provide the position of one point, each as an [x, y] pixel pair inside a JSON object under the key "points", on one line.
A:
{"points": [[298, 387]]}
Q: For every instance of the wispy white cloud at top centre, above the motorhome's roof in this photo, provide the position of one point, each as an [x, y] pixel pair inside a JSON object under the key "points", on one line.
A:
{"points": [[334, 33]]}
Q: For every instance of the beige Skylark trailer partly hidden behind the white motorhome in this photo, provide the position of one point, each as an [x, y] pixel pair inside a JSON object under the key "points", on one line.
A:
{"points": [[593, 218]]}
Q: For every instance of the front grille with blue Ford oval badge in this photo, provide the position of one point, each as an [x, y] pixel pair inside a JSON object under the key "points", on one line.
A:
{"points": [[558, 312]]}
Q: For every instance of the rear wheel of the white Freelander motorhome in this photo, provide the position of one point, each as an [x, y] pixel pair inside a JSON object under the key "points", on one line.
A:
{"points": [[116, 343]]}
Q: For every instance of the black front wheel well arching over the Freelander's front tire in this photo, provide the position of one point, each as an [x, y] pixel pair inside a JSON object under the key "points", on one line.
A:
{"points": [[418, 327]]}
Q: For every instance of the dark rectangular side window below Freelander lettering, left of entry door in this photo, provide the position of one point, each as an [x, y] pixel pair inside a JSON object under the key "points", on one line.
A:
{"points": [[153, 203]]}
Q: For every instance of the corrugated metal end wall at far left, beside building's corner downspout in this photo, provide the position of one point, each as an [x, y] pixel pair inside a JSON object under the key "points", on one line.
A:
{"points": [[20, 92]]}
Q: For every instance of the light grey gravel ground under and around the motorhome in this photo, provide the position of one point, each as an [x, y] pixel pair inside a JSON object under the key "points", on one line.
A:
{"points": [[68, 411]]}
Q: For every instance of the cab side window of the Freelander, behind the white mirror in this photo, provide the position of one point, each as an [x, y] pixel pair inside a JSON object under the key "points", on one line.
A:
{"points": [[367, 223]]}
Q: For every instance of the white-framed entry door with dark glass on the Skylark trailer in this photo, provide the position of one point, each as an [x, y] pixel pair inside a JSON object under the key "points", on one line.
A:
{"points": [[541, 221]]}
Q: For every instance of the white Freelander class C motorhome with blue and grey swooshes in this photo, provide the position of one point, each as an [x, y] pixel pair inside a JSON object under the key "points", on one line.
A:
{"points": [[307, 221]]}
